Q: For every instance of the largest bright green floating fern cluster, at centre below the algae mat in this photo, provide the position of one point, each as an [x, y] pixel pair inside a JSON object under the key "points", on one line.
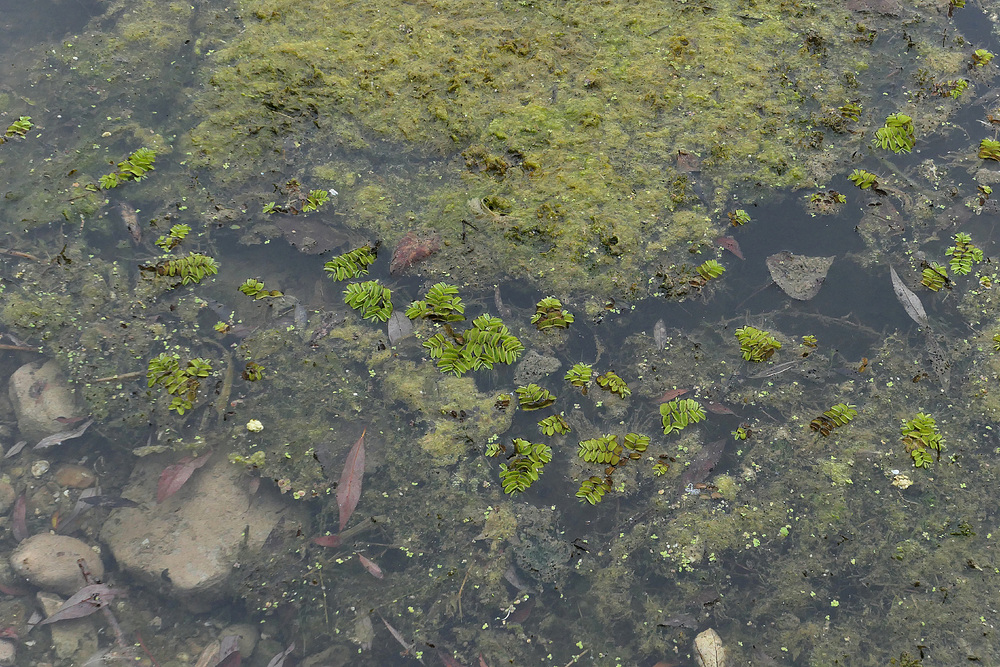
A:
{"points": [[488, 342]]}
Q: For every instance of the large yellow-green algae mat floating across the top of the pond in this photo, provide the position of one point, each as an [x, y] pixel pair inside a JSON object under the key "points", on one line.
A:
{"points": [[571, 114]]}
